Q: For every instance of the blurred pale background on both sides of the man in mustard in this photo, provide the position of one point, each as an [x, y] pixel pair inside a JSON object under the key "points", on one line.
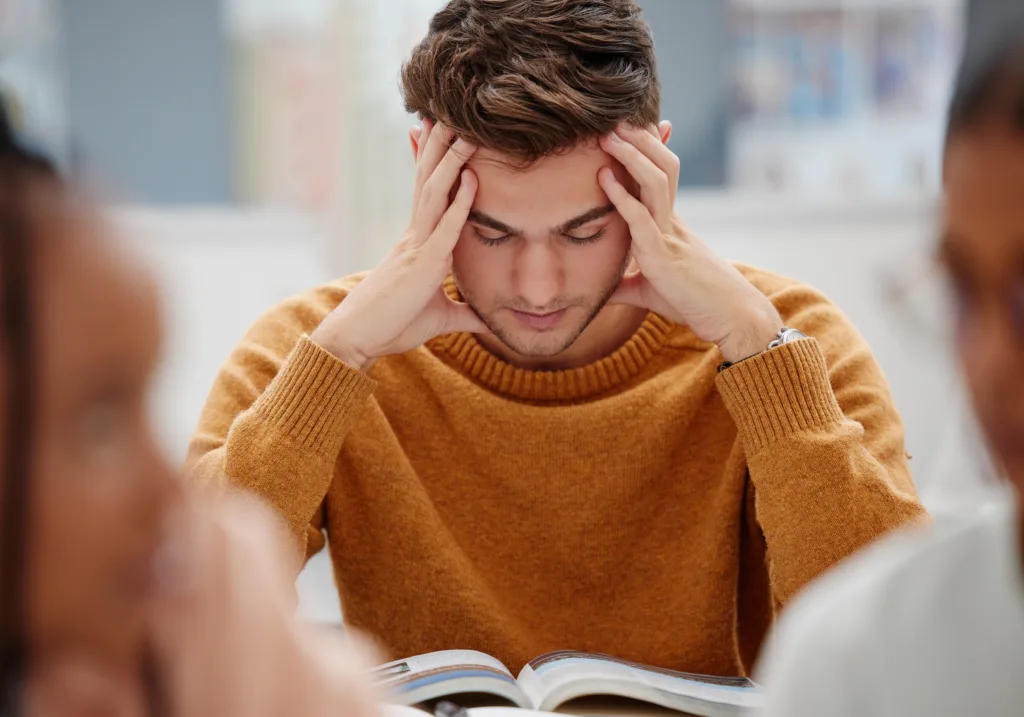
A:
{"points": [[251, 149]]}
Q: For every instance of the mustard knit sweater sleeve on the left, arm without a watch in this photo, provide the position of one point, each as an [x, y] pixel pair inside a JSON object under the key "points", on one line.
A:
{"points": [[276, 419]]}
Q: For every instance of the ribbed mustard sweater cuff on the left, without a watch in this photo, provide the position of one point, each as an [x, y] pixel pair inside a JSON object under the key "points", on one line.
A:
{"points": [[313, 399]]}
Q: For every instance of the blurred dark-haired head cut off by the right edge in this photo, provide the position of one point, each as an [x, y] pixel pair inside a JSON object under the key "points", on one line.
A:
{"points": [[984, 240]]}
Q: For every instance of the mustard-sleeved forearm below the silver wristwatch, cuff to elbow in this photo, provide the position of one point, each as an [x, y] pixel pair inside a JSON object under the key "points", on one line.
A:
{"points": [[822, 494]]}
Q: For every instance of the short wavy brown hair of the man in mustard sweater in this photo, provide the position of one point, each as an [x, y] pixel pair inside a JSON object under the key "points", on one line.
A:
{"points": [[533, 78]]}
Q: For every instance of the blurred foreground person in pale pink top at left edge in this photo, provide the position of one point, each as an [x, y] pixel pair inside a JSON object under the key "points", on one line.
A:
{"points": [[123, 594]]}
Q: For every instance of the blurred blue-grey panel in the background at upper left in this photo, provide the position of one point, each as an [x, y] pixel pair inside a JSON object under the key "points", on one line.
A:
{"points": [[149, 98]]}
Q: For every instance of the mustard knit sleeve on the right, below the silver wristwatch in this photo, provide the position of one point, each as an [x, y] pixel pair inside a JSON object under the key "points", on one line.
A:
{"points": [[824, 442]]}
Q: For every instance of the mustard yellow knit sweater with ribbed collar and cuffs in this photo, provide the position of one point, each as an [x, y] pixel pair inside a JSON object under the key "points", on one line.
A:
{"points": [[644, 507]]}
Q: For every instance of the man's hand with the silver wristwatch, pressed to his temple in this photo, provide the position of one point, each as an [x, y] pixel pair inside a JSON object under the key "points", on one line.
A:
{"points": [[675, 275]]}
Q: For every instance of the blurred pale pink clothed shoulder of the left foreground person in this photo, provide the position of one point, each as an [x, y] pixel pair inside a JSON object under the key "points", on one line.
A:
{"points": [[234, 617]]}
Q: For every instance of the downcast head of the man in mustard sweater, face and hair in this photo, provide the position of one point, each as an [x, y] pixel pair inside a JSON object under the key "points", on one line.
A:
{"points": [[534, 85]]}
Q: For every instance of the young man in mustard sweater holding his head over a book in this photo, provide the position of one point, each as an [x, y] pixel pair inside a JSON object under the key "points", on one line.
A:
{"points": [[515, 431]]}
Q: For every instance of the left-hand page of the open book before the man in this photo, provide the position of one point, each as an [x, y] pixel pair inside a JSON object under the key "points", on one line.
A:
{"points": [[428, 678]]}
